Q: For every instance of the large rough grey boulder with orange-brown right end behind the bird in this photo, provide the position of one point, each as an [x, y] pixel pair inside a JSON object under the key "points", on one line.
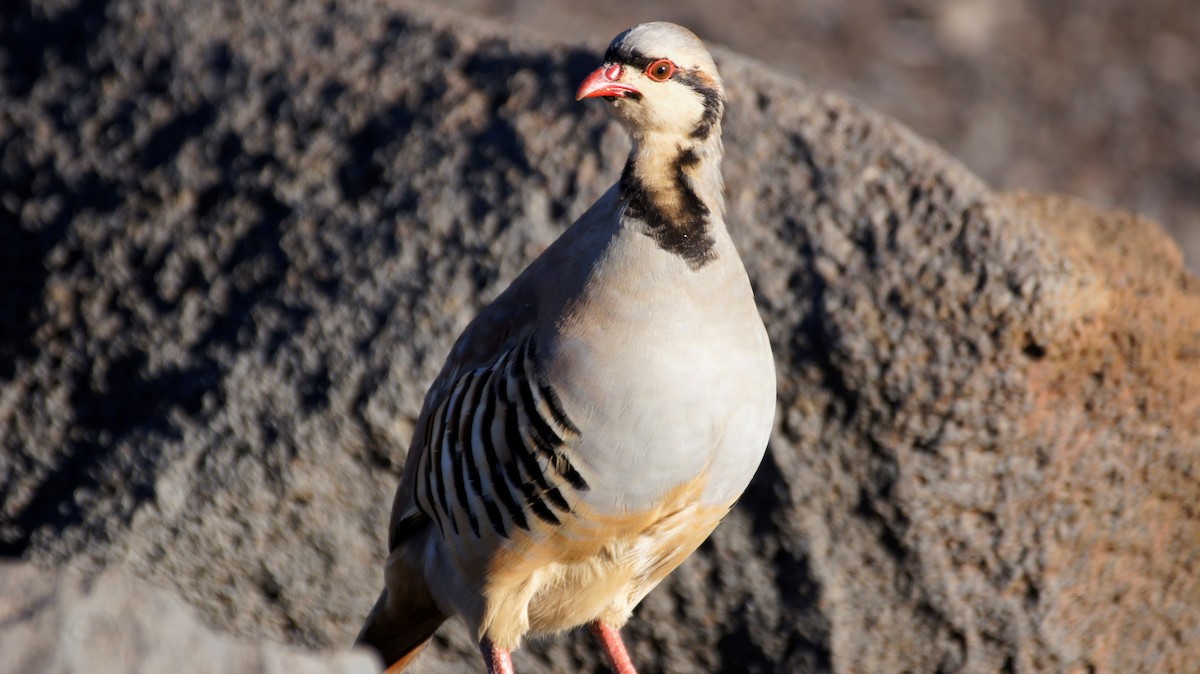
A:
{"points": [[241, 239]]}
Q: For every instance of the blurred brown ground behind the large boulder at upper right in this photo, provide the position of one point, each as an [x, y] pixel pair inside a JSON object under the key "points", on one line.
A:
{"points": [[1099, 99]]}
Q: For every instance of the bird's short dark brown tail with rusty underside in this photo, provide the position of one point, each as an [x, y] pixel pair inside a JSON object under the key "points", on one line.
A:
{"points": [[399, 630]]}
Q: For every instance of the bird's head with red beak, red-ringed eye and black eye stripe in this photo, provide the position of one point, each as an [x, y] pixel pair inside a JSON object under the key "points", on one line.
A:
{"points": [[659, 80]]}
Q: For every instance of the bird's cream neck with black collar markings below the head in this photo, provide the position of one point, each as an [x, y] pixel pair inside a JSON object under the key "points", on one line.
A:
{"points": [[674, 190]]}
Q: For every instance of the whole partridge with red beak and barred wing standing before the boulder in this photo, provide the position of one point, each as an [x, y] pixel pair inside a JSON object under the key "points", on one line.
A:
{"points": [[596, 423]]}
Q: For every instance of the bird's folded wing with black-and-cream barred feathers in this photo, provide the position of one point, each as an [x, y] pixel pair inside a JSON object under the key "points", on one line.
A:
{"points": [[491, 408]]}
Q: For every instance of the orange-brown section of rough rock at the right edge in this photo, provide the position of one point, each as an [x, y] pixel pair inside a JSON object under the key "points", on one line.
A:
{"points": [[1117, 414]]}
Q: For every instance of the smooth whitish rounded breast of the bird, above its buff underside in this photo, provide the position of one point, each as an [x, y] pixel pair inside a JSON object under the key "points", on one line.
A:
{"points": [[662, 400]]}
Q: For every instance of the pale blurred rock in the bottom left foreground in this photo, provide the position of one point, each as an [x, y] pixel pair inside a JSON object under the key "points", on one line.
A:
{"points": [[59, 624]]}
